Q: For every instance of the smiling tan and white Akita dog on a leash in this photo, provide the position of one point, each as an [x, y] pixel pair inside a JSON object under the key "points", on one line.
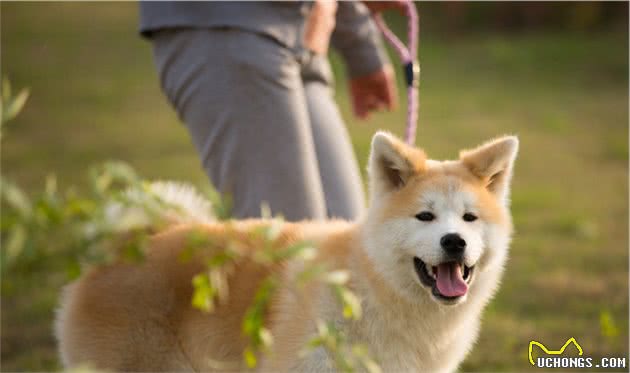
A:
{"points": [[424, 260]]}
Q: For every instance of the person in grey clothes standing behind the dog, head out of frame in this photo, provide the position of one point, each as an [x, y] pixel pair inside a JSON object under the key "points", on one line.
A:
{"points": [[253, 85]]}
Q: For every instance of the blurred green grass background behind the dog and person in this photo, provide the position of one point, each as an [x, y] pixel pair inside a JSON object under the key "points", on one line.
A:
{"points": [[555, 74]]}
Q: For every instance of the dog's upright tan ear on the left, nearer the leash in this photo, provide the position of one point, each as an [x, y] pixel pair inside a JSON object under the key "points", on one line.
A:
{"points": [[392, 163]]}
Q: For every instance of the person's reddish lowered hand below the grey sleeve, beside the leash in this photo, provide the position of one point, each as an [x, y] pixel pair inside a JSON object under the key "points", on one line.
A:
{"points": [[373, 91]]}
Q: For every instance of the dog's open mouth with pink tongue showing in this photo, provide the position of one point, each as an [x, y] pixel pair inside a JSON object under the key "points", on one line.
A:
{"points": [[448, 281]]}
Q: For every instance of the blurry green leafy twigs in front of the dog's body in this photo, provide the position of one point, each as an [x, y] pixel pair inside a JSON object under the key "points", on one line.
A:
{"points": [[66, 232]]}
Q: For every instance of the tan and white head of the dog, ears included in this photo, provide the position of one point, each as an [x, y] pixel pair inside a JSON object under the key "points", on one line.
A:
{"points": [[435, 228]]}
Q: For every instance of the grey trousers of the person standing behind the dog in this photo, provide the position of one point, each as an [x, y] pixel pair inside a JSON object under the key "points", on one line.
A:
{"points": [[263, 121]]}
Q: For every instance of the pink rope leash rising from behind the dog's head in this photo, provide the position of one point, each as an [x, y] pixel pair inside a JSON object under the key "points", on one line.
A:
{"points": [[411, 66]]}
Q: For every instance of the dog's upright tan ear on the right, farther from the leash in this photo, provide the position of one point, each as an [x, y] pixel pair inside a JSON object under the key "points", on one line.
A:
{"points": [[493, 162]]}
